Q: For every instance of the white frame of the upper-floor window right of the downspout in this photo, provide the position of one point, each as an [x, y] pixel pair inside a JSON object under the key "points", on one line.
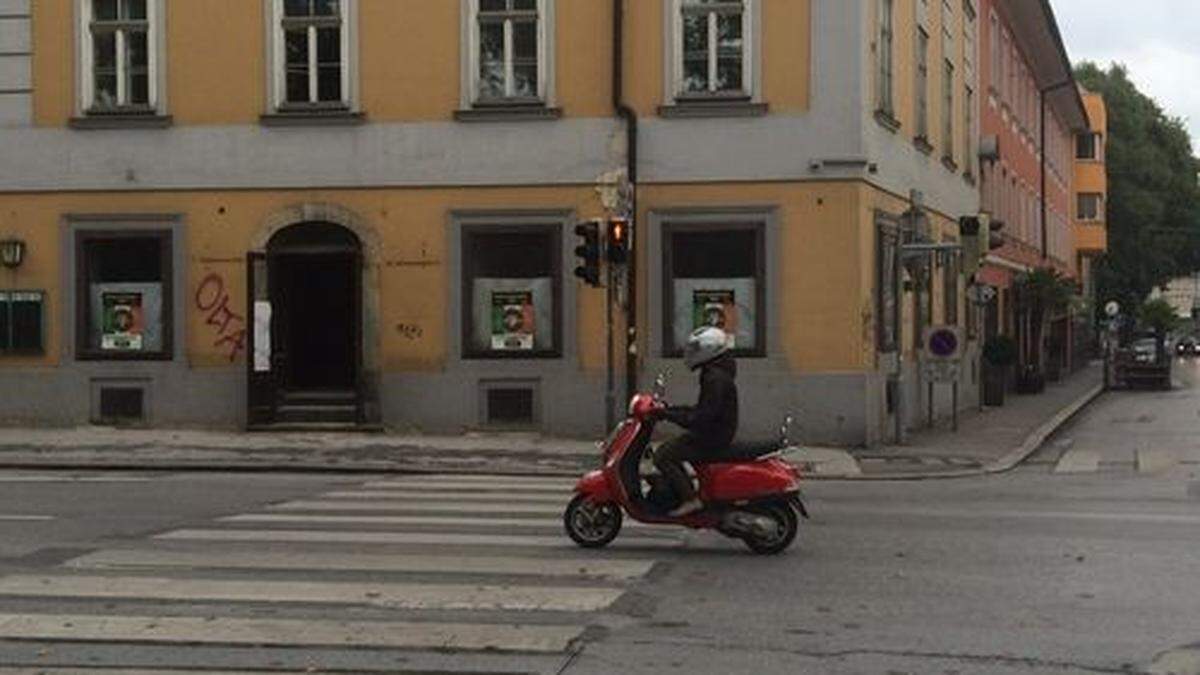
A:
{"points": [[752, 27]]}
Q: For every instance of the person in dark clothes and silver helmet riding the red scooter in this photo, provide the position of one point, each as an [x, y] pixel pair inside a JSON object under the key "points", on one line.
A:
{"points": [[711, 425]]}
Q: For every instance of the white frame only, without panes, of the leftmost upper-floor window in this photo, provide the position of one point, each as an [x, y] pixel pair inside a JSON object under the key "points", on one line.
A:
{"points": [[86, 59]]}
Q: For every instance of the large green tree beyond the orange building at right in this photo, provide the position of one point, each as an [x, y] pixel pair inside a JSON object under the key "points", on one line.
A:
{"points": [[1154, 205]]}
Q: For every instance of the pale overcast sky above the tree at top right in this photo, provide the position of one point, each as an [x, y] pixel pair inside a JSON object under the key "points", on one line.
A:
{"points": [[1155, 39]]}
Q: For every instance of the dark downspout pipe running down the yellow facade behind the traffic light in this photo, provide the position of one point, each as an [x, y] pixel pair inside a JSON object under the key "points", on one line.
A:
{"points": [[631, 118]]}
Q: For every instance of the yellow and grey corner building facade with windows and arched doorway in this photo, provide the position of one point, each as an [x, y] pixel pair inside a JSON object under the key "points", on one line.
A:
{"points": [[362, 213]]}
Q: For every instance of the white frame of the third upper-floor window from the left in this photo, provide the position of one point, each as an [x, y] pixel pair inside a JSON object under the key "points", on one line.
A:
{"points": [[470, 87]]}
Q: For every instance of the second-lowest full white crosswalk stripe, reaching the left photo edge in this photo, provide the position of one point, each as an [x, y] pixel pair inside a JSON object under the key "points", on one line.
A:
{"points": [[469, 598]]}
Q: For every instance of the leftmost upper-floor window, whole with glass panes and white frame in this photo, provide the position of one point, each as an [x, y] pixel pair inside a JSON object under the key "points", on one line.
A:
{"points": [[119, 56]]}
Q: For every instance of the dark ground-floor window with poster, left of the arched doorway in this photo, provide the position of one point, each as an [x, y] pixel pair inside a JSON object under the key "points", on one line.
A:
{"points": [[124, 295]]}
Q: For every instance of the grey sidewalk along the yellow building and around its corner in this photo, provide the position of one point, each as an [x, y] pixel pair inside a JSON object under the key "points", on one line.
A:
{"points": [[992, 441]]}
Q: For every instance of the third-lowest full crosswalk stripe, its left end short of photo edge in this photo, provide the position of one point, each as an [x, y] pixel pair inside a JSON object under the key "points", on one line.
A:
{"points": [[592, 569]]}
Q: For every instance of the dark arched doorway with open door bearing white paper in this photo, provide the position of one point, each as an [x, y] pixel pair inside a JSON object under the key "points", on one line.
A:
{"points": [[308, 357]]}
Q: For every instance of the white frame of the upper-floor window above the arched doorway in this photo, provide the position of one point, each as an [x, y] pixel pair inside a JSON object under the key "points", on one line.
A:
{"points": [[277, 63]]}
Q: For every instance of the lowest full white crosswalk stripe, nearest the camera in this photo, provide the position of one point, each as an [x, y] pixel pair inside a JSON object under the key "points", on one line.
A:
{"points": [[280, 632]]}
